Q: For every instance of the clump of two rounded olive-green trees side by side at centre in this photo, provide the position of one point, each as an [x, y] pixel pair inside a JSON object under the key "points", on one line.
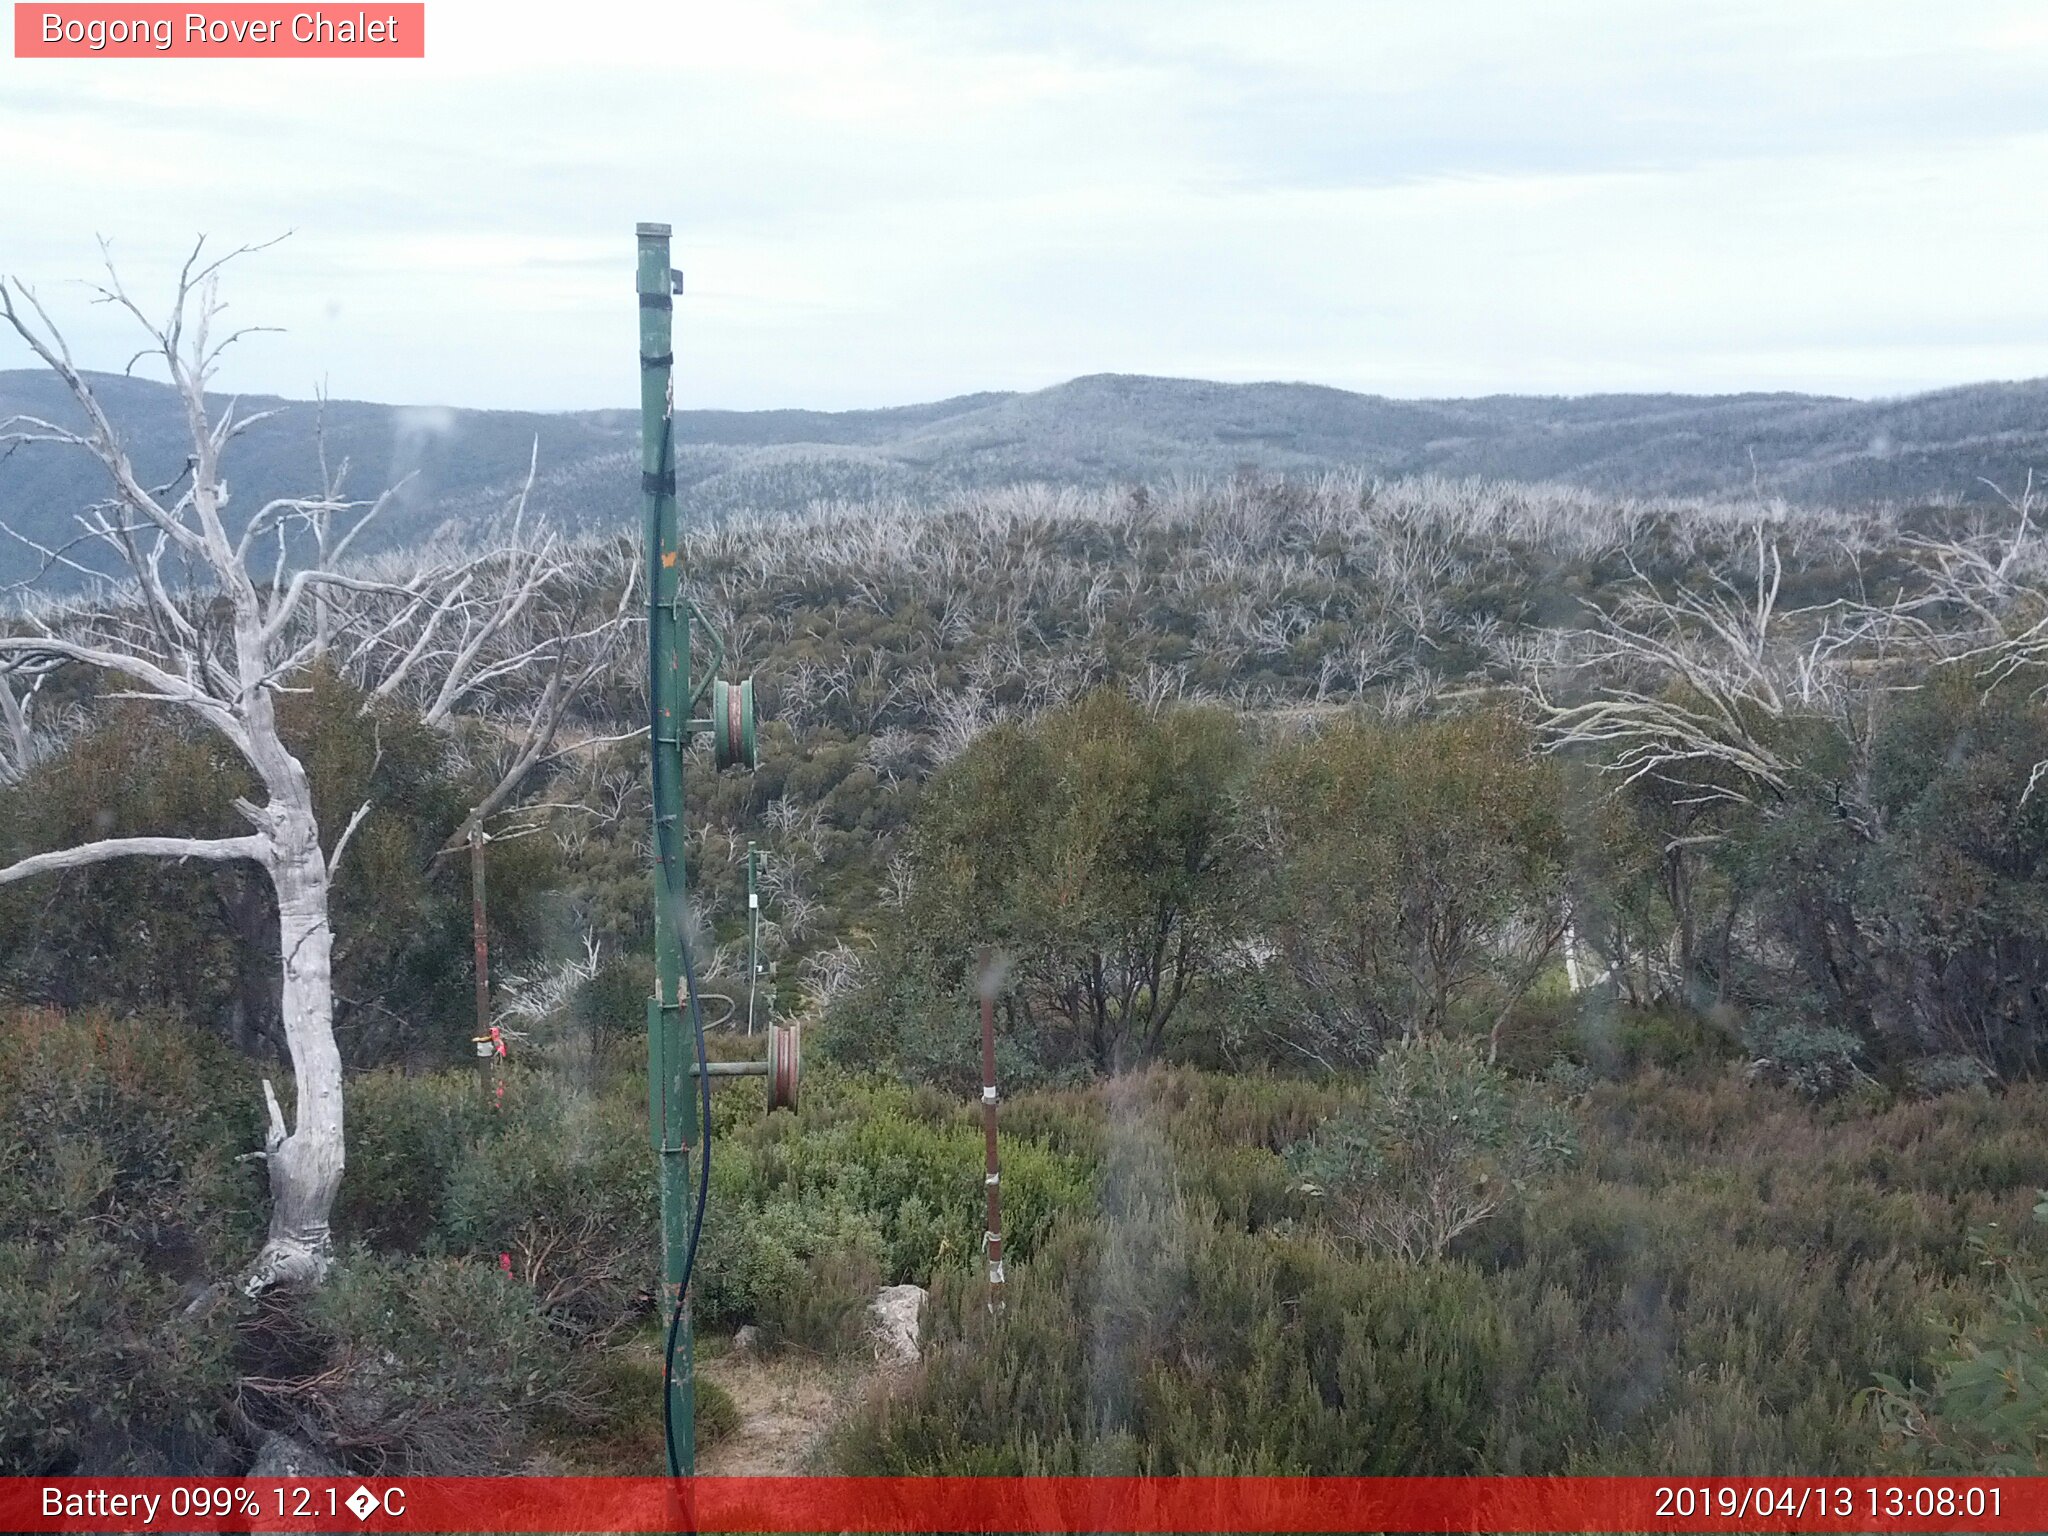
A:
{"points": [[1160, 882]]}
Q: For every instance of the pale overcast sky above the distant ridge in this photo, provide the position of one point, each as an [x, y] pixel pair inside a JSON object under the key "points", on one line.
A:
{"points": [[896, 202]]}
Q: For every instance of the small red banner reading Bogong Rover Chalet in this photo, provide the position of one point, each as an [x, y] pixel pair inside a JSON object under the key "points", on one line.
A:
{"points": [[374, 30]]}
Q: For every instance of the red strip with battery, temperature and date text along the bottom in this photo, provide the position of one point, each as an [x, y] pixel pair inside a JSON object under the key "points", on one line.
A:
{"points": [[1025, 1504]]}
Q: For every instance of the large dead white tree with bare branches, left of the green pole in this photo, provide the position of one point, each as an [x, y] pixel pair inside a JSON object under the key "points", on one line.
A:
{"points": [[212, 615]]}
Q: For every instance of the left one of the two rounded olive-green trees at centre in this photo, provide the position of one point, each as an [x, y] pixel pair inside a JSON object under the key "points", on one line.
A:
{"points": [[1093, 849]]}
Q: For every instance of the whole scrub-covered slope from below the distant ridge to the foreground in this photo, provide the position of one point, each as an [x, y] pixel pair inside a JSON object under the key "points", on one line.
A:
{"points": [[1496, 980]]}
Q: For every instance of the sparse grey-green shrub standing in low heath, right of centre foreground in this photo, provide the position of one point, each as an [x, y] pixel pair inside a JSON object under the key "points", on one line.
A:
{"points": [[1439, 1146]]}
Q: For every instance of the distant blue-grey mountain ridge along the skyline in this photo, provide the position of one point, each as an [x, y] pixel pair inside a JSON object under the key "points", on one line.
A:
{"points": [[1095, 431]]}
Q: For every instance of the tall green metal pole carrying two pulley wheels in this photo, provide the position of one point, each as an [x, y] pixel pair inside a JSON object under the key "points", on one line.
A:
{"points": [[671, 1099]]}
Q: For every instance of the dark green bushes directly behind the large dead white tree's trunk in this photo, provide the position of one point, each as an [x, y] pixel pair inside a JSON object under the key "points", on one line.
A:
{"points": [[202, 941]]}
